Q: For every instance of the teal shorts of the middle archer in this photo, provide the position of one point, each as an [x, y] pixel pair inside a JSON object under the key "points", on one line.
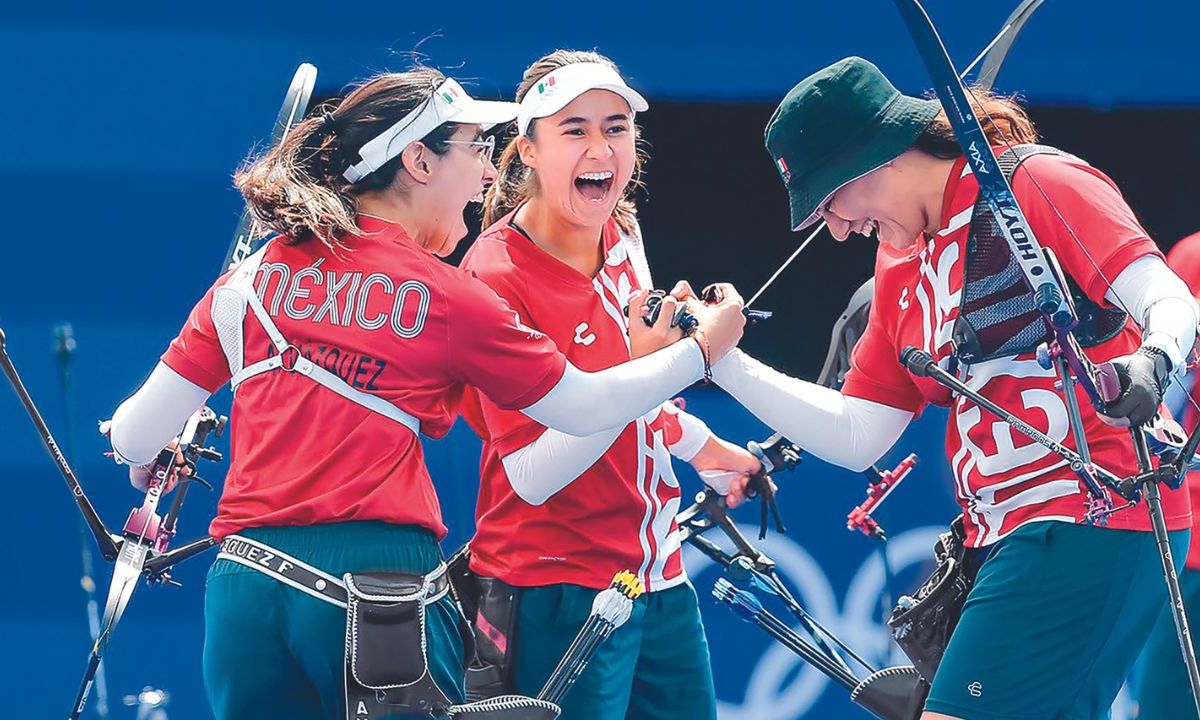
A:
{"points": [[656, 667]]}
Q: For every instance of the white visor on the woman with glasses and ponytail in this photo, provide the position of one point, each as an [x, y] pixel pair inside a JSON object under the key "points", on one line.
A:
{"points": [[449, 104]]}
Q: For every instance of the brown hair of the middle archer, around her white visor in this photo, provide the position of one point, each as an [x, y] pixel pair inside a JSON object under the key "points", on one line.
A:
{"points": [[518, 183]]}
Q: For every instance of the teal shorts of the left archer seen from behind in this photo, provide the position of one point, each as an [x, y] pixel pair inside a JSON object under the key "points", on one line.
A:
{"points": [[272, 651]]}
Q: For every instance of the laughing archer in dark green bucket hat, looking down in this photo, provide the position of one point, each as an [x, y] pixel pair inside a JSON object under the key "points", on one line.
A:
{"points": [[1060, 609]]}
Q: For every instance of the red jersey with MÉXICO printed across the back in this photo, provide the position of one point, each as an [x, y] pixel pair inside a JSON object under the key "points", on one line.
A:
{"points": [[392, 321]]}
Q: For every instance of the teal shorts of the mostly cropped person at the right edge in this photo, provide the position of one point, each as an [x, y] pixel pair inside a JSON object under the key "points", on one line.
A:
{"points": [[1161, 685]]}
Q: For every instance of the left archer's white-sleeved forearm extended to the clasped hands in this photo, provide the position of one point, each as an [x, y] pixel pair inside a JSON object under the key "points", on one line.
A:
{"points": [[584, 404]]}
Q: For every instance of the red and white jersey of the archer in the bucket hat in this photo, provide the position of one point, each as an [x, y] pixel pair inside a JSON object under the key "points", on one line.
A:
{"points": [[1004, 479]]}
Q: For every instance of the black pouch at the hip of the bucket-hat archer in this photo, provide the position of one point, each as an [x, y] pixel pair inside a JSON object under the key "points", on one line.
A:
{"points": [[922, 623]]}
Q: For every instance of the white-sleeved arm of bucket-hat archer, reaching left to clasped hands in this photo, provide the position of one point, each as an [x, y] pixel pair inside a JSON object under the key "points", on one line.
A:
{"points": [[847, 431]]}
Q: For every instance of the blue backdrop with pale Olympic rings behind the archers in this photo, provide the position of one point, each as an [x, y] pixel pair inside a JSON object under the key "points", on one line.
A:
{"points": [[123, 125]]}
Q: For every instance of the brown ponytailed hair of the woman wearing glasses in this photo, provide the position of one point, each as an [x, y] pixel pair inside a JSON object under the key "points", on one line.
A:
{"points": [[297, 188]]}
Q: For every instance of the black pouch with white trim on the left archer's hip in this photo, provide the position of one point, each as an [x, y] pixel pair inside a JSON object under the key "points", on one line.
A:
{"points": [[387, 668]]}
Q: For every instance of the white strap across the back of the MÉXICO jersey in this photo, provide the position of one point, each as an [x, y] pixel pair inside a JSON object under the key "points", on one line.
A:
{"points": [[239, 293]]}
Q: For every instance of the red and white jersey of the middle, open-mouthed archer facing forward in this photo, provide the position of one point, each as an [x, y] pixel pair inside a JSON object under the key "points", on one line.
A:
{"points": [[621, 512]]}
